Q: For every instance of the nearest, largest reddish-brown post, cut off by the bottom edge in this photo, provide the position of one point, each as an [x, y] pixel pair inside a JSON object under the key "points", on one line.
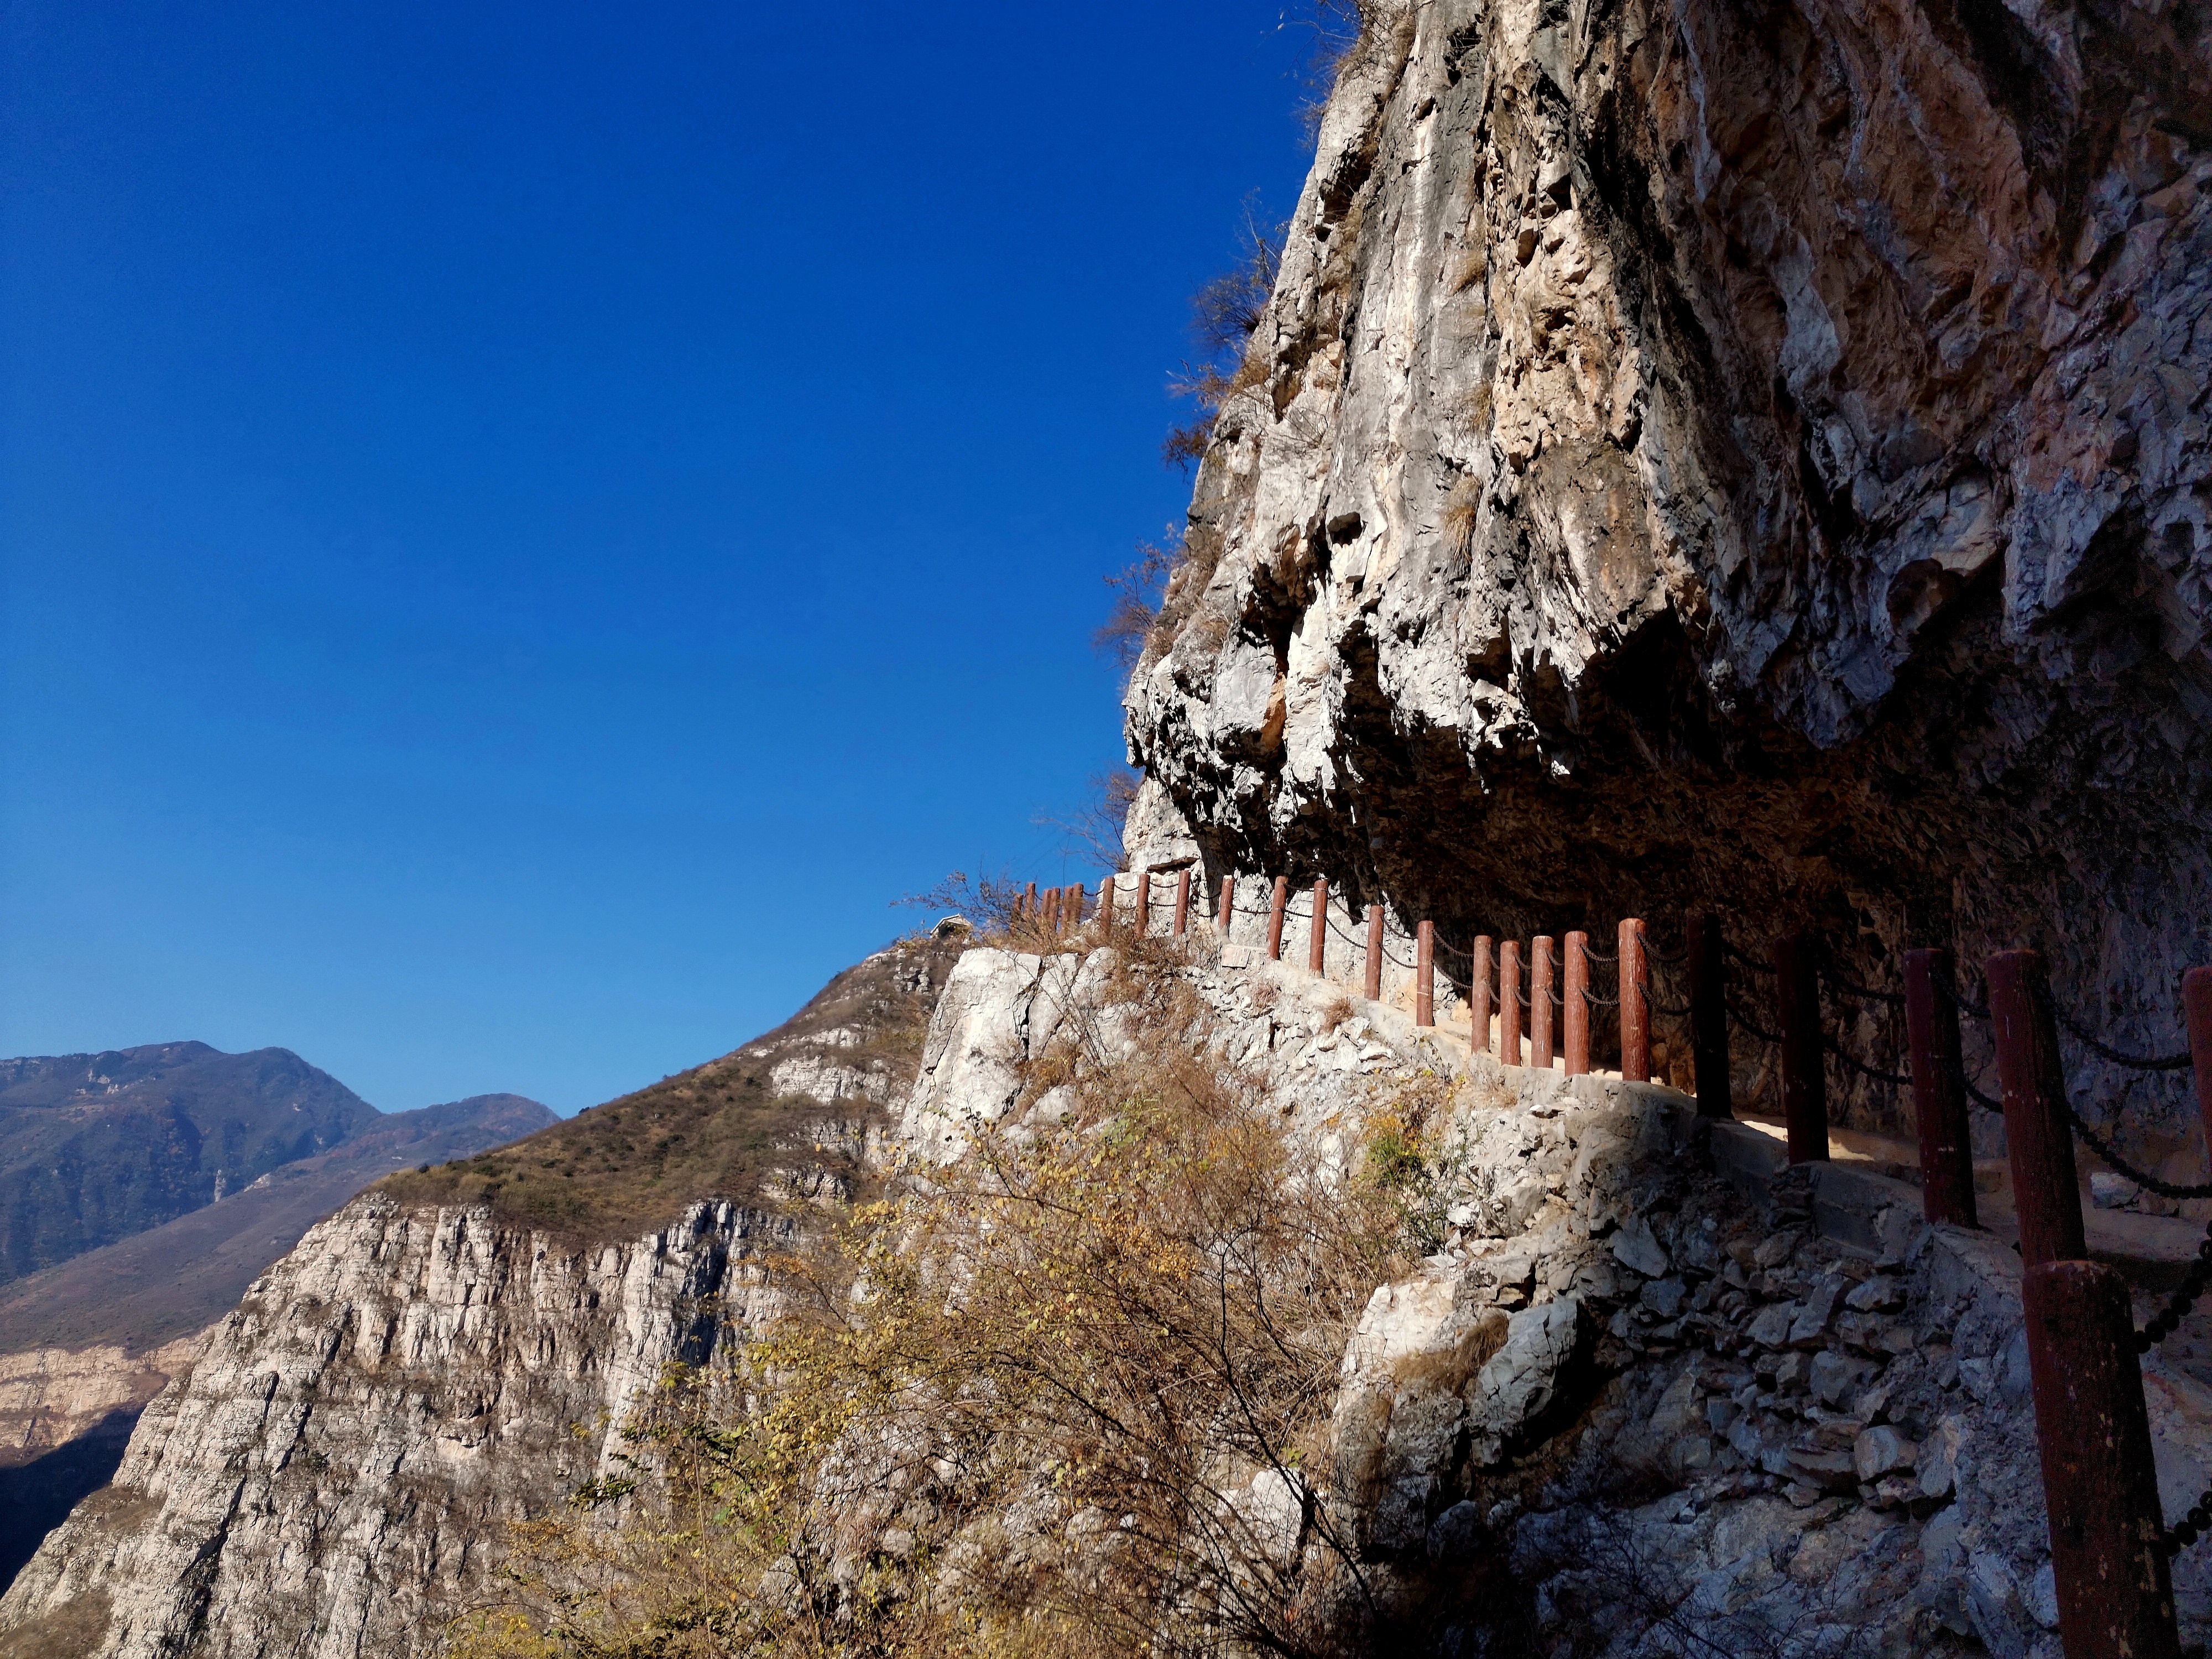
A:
{"points": [[2100, 1481]]}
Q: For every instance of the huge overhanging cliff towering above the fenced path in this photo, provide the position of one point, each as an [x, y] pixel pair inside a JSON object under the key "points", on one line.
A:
{"points": [[1726, 457]]}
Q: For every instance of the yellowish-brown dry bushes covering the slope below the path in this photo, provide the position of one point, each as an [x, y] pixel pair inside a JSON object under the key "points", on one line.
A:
{"points": [[1023, 1401]]}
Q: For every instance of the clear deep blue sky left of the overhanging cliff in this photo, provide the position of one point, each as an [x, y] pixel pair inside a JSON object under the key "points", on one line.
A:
{"points": [[525, 528]]}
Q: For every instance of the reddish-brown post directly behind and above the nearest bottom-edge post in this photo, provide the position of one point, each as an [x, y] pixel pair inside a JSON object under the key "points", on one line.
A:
{"points": [[2038, 1140]]}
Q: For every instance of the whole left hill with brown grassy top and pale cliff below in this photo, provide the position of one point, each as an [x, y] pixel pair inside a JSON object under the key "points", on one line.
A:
{"points": [[337, 1470]]}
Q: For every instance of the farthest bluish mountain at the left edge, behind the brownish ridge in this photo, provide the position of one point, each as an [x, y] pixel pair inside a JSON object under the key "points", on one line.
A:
{"points": [[96, 1149]]}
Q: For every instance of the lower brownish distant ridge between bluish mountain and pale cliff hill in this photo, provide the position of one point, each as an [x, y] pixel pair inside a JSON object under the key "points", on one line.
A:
{"points": [[187, 1273]]}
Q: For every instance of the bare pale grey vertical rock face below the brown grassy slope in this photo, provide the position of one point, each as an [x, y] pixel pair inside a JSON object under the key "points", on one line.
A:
{"points": [[337, 1472]]}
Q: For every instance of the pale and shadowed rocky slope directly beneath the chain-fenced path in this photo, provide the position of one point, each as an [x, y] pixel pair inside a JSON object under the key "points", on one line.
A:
{"points": [[1653, 1392]]}
